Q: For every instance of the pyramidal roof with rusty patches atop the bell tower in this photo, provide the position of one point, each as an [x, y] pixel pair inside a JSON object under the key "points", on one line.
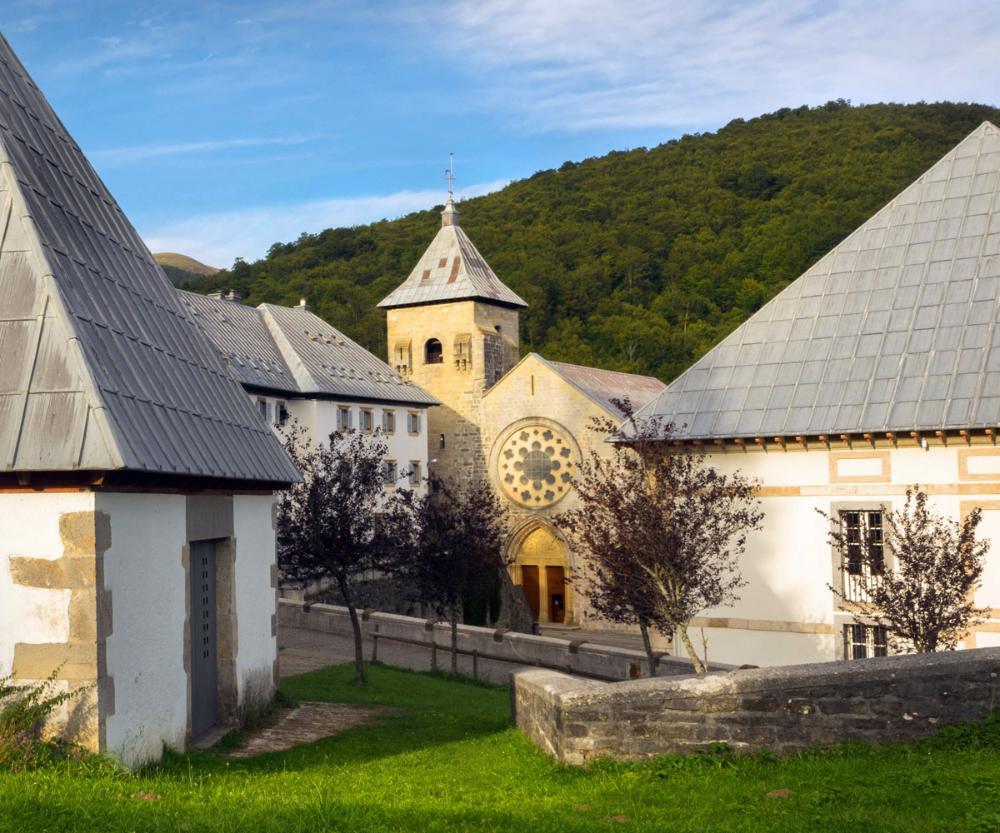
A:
{"points": [[451, 270]]}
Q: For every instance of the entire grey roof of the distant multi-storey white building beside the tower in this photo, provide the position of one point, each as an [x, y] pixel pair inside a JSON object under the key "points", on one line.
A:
{"points": [[290, 351]]}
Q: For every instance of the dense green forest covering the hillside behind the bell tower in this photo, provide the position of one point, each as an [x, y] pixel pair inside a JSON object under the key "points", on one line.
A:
{"points": [[639, 260]]}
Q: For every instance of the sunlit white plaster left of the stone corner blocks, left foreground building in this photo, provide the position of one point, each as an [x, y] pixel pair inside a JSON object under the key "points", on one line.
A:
{"points": [[29, 526]]}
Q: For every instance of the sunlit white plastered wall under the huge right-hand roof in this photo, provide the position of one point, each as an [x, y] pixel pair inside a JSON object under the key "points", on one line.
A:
{"points": [[786, 613]]}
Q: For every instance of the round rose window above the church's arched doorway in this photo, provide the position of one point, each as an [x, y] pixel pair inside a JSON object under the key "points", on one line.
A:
{"points": [[536, 464]]}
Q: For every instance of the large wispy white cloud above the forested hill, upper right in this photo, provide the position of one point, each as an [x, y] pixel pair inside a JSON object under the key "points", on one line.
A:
{"points": [[581, 64]]}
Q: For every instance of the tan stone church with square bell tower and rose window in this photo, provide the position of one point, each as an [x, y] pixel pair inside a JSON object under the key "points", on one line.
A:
{"points": [[524, 424]]}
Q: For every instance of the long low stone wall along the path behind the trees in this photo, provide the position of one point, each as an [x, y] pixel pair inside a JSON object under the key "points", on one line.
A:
{"points": [[573, 656]]}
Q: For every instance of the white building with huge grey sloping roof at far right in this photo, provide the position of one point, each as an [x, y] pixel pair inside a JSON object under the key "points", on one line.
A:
{"points": [[877, 369]]}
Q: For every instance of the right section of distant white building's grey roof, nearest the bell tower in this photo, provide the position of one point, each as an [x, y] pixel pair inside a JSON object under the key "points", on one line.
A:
{"points": [[326, 362]]}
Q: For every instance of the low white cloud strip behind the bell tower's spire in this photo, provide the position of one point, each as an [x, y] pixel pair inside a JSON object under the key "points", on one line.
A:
{"points": [[218, 238]]}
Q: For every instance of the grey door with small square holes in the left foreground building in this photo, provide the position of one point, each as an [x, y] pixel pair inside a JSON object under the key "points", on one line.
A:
{"points": [[203, 646]]}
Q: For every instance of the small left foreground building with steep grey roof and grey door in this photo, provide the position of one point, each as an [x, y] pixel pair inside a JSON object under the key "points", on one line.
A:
{"points": [[137, 548]]}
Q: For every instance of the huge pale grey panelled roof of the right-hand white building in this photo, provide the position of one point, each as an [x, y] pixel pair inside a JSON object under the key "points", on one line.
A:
{"points": [[896, 329]]}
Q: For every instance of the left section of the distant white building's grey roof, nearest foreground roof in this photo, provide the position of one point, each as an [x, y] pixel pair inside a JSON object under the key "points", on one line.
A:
{"points": [[243, 341]]}
